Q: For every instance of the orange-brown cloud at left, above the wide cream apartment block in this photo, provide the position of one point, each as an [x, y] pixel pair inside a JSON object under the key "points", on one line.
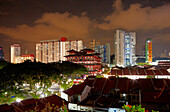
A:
{"points": [[52, 26]]}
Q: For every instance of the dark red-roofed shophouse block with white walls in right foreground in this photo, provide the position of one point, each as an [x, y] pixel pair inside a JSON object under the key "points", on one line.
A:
{"points": [[106, 94]]}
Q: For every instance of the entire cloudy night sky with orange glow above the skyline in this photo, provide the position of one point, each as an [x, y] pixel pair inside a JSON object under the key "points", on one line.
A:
{"points": [[29, 21]]}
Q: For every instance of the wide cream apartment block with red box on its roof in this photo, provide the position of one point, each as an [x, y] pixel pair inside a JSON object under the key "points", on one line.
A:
{"points": [[55, 50]]}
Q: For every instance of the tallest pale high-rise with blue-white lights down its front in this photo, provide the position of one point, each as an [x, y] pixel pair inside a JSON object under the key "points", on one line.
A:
{"points": [[125, 48]]}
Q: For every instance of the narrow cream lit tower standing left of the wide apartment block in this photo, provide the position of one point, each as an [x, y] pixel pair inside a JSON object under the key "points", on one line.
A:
{"points": [[15, 53]]}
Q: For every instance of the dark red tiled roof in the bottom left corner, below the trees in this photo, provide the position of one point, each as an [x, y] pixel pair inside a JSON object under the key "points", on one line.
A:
{"points": [[52, 102]]}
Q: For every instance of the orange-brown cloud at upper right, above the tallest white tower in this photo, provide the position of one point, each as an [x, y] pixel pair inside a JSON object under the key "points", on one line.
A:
{"points": [[137, 18]]}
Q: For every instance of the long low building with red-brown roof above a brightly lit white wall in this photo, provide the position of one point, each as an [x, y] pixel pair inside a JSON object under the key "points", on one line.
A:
{"points": [[138, 72]]}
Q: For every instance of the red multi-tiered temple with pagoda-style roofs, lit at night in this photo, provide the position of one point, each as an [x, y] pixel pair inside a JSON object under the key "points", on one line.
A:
{"points": [[86, 57]]}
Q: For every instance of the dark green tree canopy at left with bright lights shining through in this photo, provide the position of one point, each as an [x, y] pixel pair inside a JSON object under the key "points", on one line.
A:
{"points": [[34, 78]]}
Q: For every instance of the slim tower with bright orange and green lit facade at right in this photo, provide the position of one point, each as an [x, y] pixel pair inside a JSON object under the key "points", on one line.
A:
{"points": [[148, 50]]}
